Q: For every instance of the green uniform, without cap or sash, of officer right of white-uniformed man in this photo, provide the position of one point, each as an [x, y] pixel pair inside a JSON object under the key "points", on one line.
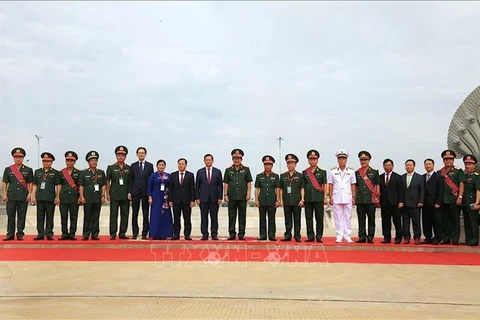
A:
{"points": [[365, 206]]}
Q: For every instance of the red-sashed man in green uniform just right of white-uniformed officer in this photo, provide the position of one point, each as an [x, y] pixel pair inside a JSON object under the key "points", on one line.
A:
{"points": [[367, 198]]}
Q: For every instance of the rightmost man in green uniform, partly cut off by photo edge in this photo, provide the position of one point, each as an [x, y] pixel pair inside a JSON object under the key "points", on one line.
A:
{"points": [[471, 200]]}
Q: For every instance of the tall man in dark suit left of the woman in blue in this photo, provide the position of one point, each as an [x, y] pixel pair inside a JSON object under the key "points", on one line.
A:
{"points": [[137, 191]]}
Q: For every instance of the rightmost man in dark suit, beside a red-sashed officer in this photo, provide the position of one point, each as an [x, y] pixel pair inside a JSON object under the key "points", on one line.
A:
{"points": [[431, 212]]}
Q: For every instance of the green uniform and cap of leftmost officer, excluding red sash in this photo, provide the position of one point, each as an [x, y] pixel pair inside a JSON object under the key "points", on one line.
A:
{"points": [[17, 197]]}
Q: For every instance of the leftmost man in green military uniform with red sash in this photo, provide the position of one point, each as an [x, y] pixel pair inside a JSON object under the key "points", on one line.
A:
{"points": [[16, 192]]}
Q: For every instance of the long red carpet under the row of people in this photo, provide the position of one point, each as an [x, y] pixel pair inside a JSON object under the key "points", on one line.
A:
{"points": [[234, 251]]}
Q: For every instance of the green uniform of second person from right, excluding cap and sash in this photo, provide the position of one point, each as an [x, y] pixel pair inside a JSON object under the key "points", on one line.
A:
{"points": [[450, 211]]}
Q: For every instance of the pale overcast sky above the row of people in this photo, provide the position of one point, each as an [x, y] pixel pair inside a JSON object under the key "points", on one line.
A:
{"points": [[185, 79]]}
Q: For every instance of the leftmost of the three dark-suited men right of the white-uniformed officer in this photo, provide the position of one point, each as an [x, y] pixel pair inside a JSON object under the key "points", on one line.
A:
{"points": [[391, 192]]}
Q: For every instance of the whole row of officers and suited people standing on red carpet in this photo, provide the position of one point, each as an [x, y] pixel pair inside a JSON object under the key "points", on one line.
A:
{"points": [[434, 200]]}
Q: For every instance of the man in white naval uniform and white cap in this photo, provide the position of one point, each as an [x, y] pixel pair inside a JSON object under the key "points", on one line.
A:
{"points": [[341, 180]]}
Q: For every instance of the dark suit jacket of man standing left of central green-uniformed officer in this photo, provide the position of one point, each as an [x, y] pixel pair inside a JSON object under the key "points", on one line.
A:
{"points": [[209, 192]]}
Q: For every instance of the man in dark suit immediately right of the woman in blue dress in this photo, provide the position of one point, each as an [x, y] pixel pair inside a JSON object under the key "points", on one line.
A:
{"points": [[181, 192]]}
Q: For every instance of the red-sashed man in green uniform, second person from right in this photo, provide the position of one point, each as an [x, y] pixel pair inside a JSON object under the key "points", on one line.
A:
{"points": [[454, 179]]}
